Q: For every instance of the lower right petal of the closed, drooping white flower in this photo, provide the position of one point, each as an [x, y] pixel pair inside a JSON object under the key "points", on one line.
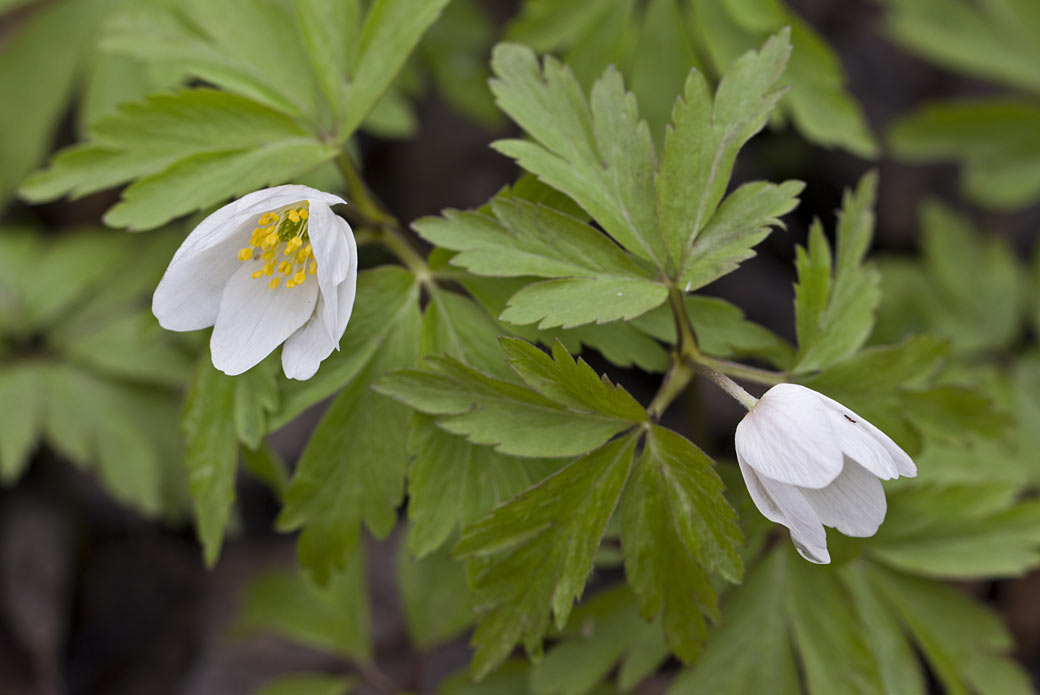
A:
{"points": [[854, 503]]}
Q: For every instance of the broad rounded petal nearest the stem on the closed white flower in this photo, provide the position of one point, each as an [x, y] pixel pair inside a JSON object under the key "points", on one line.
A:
{"points": [[789, 437]]}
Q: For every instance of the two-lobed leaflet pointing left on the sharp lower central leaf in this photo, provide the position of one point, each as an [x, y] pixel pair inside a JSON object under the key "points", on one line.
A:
{"points": [[498, 413]]}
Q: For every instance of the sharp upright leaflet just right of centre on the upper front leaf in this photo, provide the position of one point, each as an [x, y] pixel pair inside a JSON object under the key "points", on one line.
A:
{"points": [[707, 134]]}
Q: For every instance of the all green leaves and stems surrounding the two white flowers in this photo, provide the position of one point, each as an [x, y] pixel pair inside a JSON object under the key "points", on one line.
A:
{"points": [[523, 483]]}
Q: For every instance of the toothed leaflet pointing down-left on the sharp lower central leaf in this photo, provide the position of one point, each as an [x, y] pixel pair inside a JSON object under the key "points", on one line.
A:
{"points": [[537, 551]]}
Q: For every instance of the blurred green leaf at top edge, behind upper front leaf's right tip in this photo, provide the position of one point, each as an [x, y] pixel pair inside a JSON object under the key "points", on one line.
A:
{"points": [[819, 105]]}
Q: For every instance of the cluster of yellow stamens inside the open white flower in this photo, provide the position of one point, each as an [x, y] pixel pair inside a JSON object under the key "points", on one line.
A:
{"points": [[284, 229]]}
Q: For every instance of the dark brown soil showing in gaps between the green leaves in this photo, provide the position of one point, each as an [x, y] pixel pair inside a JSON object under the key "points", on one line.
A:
{"points": [[97, 601]]}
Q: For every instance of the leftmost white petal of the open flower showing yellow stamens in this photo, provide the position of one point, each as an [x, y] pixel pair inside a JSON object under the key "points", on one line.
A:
{"points": [[189, 296]]}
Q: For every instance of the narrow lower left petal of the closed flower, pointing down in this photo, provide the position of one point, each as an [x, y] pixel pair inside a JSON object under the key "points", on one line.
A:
{"points": [[787, 505]]}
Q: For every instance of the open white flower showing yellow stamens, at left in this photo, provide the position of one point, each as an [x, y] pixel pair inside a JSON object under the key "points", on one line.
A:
{"points": [[274, 267]]}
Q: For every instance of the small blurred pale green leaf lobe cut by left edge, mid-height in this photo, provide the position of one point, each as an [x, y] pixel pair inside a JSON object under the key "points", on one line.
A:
{"points": [[22, 408]]}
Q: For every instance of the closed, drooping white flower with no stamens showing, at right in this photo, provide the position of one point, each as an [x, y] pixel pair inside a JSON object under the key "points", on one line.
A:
{"points": [[809, 462]]}
